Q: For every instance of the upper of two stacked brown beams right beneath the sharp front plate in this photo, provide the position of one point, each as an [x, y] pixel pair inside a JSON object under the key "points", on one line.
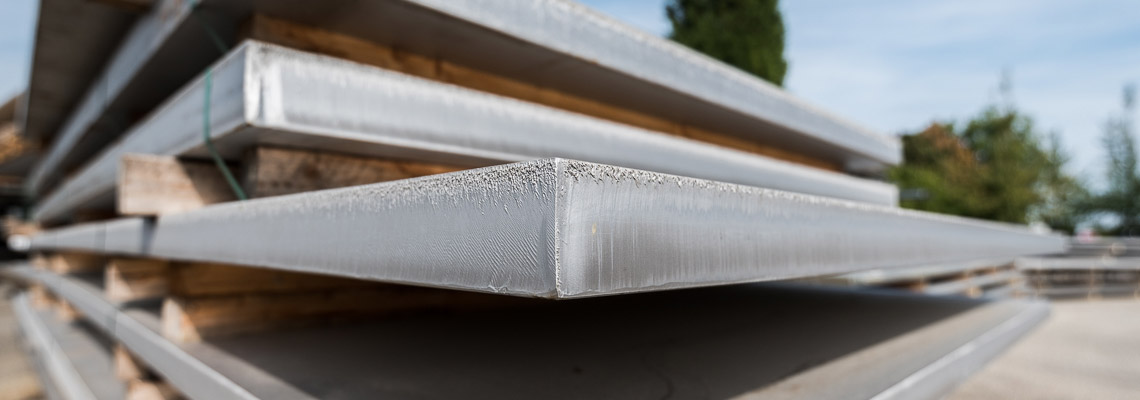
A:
{"points": [[210, 280]]}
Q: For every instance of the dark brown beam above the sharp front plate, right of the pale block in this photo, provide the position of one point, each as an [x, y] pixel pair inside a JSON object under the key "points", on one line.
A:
{"points": [[280, 172]]}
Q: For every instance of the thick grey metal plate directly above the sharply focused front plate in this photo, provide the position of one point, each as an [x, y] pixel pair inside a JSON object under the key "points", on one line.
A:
{"points": [[275, 96]]}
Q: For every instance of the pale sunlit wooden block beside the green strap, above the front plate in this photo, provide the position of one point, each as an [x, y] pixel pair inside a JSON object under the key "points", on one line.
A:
{"points": [[151, 185]]}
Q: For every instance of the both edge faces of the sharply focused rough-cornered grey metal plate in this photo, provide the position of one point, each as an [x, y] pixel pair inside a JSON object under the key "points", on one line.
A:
{"points": [[559, 228]]}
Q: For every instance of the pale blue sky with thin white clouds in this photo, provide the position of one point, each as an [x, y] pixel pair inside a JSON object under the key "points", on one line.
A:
{"points": [[895, 66]]}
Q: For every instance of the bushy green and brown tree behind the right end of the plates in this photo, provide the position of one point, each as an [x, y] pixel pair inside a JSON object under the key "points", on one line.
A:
{"points": [[996, 167]]}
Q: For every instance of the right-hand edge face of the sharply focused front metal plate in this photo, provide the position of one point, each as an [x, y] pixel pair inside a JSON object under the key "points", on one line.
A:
{"points": [[628, 231]]}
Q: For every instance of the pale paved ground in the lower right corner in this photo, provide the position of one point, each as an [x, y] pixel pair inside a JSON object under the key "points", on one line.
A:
{"points": [[1086, 350]]}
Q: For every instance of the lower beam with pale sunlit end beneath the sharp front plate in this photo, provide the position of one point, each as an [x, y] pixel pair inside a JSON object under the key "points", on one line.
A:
{"points": [[192, 320]]}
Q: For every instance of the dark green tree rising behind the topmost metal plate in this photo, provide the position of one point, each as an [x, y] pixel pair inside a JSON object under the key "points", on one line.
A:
{"points": [[748, 35]]}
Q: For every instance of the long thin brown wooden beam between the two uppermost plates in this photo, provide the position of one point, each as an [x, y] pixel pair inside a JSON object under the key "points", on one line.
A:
{"points": [[316, 40]]}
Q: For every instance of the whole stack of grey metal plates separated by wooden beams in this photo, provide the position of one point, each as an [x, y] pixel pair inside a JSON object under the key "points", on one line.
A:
{"points": [[385, 198]]}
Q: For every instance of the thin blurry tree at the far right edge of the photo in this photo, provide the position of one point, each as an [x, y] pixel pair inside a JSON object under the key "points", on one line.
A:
{"points": [[1122, 198]]}
